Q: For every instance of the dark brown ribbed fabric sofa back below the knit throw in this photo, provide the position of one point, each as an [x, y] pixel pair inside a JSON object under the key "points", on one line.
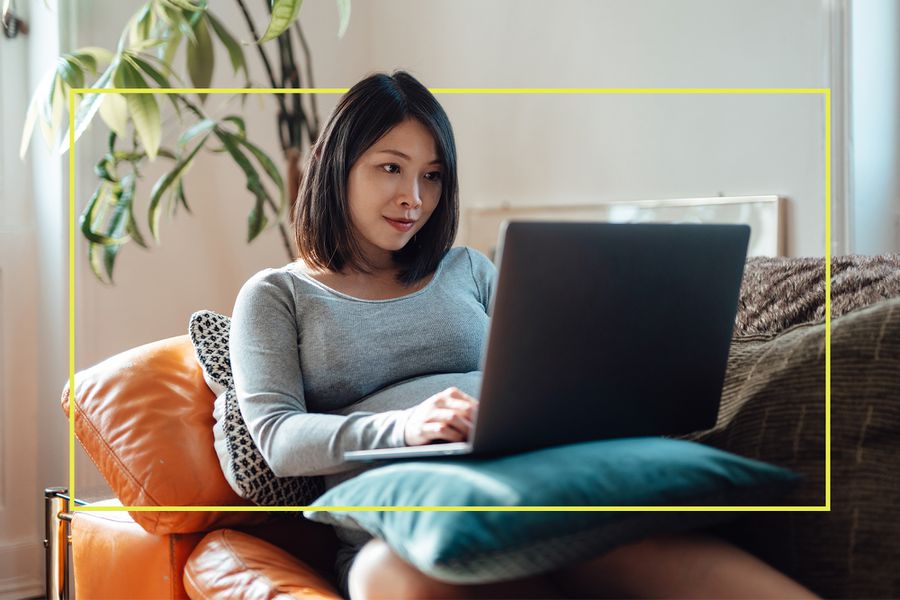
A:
{"points": [[773, 409]]}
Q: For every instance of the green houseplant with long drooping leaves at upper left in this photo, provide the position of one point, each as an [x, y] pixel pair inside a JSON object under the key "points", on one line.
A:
{"points": [[145, 58]]}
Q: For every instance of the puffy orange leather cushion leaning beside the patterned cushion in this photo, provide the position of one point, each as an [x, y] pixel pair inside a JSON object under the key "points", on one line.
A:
{"points": [[145, 418]]}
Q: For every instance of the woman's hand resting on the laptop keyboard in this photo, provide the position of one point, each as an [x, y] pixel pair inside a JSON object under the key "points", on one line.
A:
{"points": [[447, 415]]}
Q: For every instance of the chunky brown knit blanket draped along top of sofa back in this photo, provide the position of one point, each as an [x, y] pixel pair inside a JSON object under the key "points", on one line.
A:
{"points": [[778, 293]]}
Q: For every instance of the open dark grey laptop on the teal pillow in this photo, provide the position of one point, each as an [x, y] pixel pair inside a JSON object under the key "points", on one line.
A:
{"points": [[600, 331]]}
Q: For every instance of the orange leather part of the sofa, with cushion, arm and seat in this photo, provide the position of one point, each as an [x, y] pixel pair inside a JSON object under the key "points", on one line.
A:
{"points": [[145, 418]]}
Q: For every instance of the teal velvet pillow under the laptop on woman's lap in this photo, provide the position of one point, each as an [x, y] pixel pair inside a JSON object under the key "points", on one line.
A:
{"points": [[485, 546]]}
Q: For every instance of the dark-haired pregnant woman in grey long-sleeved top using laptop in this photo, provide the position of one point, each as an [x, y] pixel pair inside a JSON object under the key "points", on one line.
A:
{"points": [[372, 339]]}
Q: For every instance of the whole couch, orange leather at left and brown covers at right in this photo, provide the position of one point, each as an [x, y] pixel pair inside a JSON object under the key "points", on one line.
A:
{"points": [[145, 419]]}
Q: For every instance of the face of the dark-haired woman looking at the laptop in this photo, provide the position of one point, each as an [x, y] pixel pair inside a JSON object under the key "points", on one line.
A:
{"points": [[393, 189]]}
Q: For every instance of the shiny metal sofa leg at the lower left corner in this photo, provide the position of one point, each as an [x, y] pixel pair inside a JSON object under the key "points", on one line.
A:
{"points": [[56, 543]]}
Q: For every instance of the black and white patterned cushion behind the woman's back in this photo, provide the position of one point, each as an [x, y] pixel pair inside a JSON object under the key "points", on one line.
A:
{"points": [[247, 472]]}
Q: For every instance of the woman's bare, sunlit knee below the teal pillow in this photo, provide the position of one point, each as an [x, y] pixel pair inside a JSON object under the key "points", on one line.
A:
{"points": [[378, 573]]}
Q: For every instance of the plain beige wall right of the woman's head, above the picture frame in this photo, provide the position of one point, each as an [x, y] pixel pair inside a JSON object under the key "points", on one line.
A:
{"points": [[581, 149]]}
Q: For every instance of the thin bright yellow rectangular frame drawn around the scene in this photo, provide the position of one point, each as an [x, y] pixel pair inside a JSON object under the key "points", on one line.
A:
{"points": [[826, 92]]}
